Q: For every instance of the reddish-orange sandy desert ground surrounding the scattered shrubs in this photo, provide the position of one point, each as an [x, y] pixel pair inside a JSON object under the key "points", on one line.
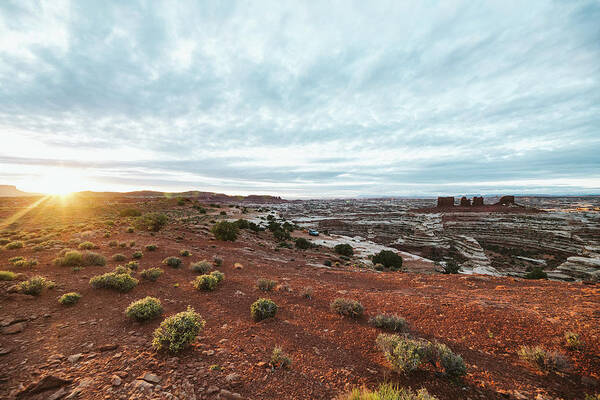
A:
{"points": [[484, 319]]}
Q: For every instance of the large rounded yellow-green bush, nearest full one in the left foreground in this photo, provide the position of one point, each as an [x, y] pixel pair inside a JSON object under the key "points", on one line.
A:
{"points": [[178, 330]]}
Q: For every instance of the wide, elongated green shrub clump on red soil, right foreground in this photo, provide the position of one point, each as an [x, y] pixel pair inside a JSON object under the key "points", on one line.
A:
{"points": [[407, 355]]}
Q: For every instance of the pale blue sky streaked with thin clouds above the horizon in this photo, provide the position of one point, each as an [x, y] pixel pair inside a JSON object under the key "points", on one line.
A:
{"points": [[301, 99]]}
